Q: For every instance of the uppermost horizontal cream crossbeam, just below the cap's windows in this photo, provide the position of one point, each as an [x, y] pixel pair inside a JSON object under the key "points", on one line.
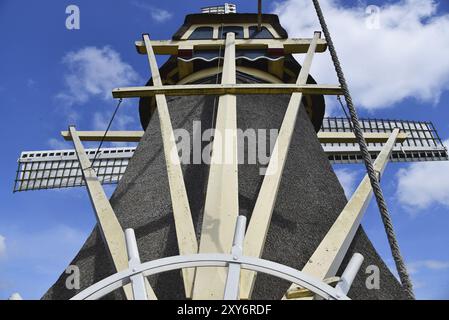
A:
{"points": [[290, 46]]}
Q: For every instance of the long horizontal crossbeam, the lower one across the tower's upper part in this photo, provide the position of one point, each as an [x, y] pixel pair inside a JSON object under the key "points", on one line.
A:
{"points": [[222, 89]]}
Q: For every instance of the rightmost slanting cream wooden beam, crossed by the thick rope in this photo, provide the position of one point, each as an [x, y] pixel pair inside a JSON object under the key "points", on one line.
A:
{"points": [[327, 258]]}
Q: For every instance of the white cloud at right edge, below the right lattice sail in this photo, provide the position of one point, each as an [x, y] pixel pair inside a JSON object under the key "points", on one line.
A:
{"points": [[422, 185]]}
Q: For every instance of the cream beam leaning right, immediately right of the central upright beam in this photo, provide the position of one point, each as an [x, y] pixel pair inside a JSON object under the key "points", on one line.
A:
{"points": [[261, 218]]}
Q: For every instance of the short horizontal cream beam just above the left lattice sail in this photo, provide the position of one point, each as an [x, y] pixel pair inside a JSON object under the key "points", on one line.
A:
{"points": [[111, 136]]}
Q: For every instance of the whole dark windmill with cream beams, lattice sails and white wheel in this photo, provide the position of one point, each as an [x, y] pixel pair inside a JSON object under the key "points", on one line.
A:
{"points": [[219, 228]]}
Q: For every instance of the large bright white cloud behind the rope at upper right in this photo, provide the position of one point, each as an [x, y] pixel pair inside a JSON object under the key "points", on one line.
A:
{"points": [[405, 57]]}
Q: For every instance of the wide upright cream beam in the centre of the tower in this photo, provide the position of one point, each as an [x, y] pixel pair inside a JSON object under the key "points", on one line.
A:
{"points": [[221, 205]]}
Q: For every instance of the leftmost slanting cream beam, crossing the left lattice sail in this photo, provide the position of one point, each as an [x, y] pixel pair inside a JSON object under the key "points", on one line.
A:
{"points": [[110, 228]]}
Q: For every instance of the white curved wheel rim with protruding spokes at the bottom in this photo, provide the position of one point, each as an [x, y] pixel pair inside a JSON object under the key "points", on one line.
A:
{"points": [[137, 271]]}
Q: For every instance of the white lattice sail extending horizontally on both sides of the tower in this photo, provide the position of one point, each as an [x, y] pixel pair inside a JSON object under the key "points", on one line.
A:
{"points": [[60, 169]]}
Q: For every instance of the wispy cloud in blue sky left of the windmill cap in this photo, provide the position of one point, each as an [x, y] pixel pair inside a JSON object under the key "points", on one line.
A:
{"points": [[94, 72]]}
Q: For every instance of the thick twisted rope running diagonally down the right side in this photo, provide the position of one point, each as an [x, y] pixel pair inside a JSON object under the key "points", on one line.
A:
{"points": [[400, 265]]}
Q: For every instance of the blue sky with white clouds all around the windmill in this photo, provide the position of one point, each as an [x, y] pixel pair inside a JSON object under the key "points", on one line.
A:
{"points": [[51, 77]]}
